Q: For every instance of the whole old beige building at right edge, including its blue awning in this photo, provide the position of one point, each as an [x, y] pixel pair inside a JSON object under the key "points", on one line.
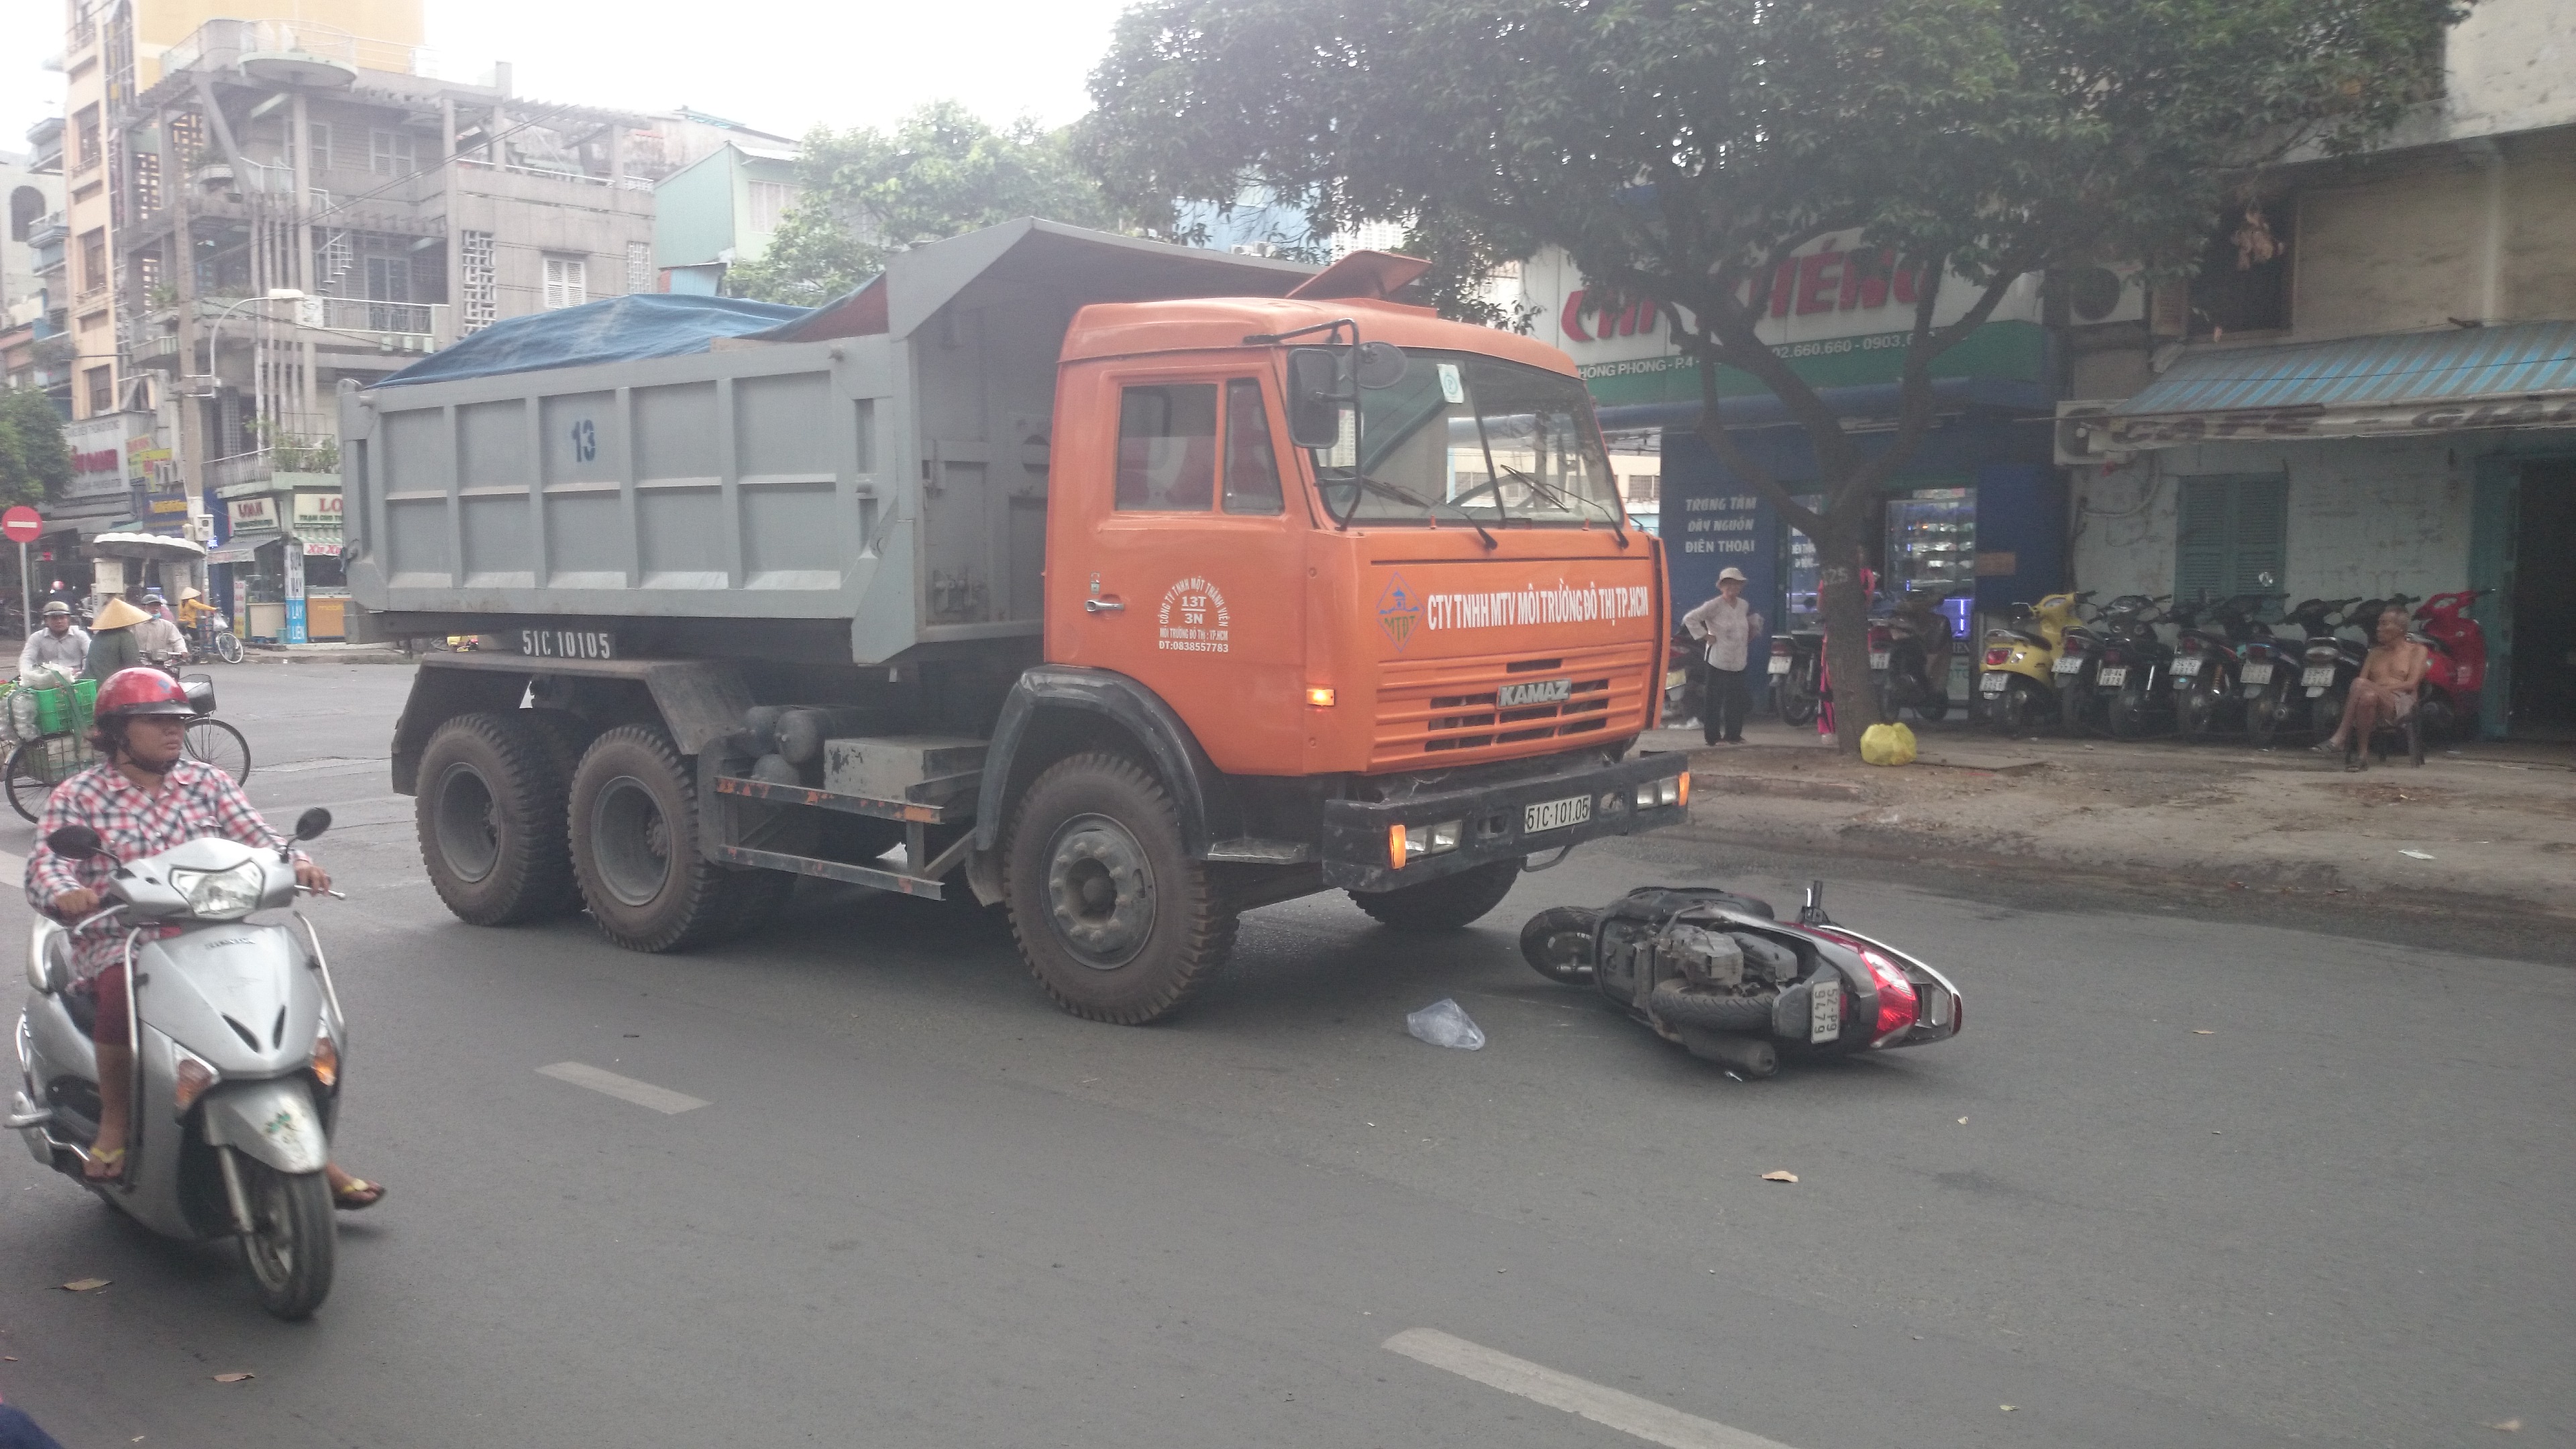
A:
{"points": [[2371, 385]]}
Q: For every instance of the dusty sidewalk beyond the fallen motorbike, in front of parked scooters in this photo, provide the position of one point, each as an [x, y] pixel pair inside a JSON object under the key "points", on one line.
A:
{"points": [[2490, 821]]}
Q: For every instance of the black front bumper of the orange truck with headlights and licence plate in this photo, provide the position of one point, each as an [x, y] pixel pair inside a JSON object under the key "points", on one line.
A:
{"points": [[1446, 831]]}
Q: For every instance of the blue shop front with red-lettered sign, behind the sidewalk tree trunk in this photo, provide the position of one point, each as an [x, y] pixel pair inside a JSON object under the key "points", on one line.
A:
{"points": [[1975, 517]]}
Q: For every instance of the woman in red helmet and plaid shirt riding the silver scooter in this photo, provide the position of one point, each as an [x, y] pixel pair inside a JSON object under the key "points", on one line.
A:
{"points": [[143, 798]]}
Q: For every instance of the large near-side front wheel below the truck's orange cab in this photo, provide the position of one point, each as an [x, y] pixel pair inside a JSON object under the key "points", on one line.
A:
{"points": [[1114, 919]]}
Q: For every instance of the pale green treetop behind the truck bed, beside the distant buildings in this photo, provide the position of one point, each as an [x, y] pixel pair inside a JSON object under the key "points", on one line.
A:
{"points": [[939, 174]]}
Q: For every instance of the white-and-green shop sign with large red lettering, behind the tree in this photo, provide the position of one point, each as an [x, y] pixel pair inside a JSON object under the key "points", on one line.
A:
{"points": [[1838, 313]]}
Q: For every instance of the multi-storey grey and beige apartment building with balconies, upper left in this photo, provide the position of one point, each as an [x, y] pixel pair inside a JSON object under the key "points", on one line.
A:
{"points": [[264, 208]]}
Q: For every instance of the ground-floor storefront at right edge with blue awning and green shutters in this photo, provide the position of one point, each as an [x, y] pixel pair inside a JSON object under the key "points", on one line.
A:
{"points": [[2366, 468]]}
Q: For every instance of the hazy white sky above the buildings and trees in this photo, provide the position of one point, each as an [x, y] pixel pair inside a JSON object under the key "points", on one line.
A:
{"points": [[779, 66]]}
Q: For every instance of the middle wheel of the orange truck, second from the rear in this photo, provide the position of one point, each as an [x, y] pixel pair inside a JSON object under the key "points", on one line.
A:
{"points": [[635, 844]]}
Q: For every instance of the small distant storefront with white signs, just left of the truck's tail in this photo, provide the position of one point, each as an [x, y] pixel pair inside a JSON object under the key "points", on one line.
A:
{"points": [[279, 563]]}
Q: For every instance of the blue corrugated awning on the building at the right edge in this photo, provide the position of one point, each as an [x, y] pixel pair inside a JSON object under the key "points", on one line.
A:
{"points": [[2361, 388]]}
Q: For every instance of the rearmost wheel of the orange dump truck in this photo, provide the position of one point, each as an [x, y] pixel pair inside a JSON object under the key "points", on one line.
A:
{"points": [[491, 819]]}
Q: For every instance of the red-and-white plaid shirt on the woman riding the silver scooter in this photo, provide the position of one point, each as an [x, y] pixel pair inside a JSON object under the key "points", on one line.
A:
{"points": [[197, 803]]}
